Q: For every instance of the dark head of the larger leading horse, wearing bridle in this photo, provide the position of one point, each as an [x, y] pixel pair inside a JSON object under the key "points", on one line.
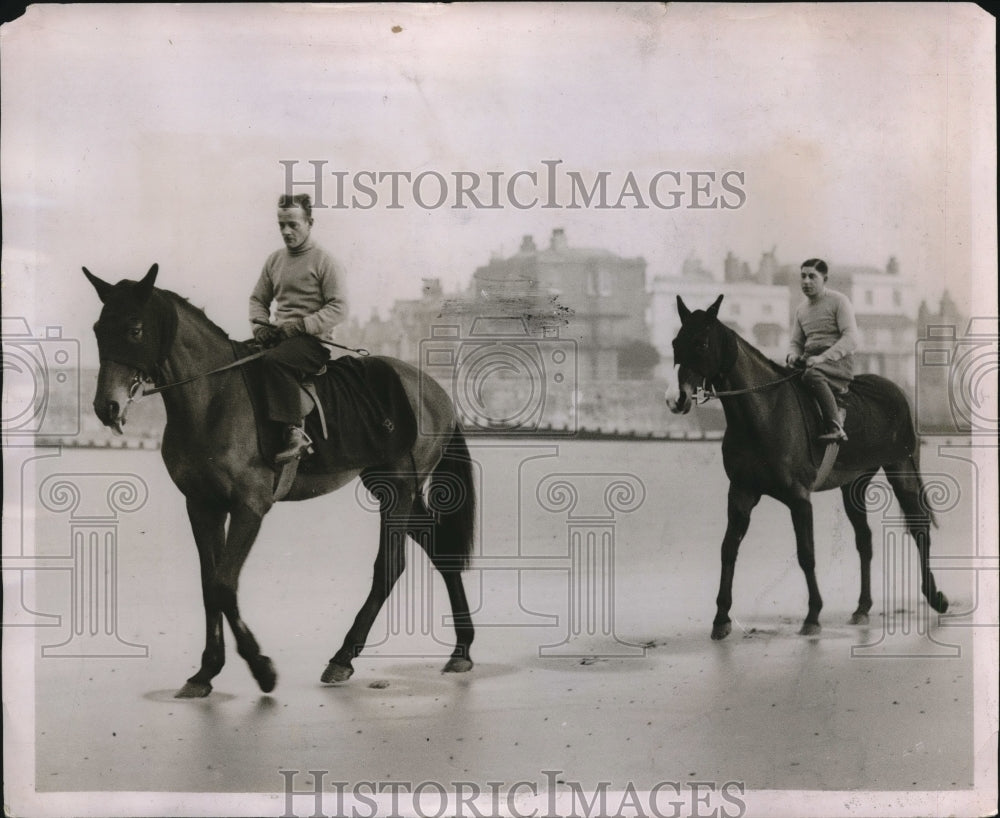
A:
{"points": [[133, 334]]}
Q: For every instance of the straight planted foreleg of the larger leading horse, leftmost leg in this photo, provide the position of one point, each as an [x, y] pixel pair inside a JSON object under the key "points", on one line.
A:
{"points": [[208, 523]]}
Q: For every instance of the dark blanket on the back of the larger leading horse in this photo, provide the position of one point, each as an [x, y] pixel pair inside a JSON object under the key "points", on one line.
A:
{"points": [[369, 419]]}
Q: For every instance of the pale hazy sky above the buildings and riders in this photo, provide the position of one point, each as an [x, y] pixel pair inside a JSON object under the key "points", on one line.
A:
{"points": [[155, 133]]}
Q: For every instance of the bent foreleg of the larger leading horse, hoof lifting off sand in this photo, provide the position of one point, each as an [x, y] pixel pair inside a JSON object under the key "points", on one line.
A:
{"points": [[244, 525]]}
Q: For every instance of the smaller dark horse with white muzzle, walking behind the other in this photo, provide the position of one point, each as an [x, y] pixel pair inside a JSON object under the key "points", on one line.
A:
{"points": [[769, 449]]}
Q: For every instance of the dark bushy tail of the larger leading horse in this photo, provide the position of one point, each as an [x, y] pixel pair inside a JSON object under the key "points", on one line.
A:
{"points": [[451, 499]]}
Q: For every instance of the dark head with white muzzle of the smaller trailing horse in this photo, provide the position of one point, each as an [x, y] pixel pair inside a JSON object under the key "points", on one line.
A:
{"points": [[703, 349]]}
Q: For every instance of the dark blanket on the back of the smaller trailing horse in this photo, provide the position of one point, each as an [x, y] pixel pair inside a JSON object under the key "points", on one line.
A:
{"points": [[876, 423]]}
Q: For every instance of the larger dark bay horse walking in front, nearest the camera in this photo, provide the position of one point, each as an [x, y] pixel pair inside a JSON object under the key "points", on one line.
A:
{"points": [[211, 451]]}
